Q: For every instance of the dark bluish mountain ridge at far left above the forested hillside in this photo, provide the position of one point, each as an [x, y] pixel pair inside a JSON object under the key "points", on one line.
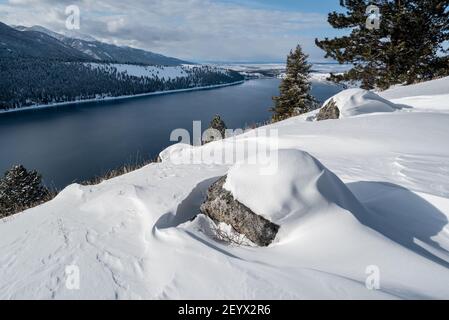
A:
{"points": [[33, 44]]}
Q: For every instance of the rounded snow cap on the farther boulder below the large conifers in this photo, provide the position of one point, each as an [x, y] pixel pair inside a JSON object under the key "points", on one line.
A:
{"points": [[354, 102]]}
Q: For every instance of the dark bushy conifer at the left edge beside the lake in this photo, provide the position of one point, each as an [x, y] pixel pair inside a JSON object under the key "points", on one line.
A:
{"points": [[20, 189]]}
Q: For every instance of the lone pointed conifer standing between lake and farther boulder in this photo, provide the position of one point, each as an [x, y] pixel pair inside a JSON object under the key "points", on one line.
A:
{"points": [[295, 97]]}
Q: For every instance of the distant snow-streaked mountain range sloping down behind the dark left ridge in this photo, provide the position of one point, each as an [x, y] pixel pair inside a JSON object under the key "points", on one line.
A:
{"points": [[101, 51]]}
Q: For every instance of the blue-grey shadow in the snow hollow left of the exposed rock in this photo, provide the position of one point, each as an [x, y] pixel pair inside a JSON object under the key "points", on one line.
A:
{"points": [[188, 209]]}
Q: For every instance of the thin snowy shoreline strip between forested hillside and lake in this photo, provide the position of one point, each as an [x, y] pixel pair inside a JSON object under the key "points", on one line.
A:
{"points": [[140, 95]]}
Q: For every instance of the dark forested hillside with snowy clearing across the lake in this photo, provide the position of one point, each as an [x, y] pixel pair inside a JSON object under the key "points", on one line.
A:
{"points": [[27, 82]]}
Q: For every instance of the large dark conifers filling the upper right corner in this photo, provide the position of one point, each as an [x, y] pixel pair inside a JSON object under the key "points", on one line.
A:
{"points": [[408, 47]]}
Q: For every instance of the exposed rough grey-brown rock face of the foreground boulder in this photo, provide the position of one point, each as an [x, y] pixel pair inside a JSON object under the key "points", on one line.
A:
{"points": [[221, 206]]}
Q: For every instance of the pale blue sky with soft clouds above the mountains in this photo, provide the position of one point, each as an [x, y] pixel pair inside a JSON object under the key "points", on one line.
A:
{"points": [[194, 30]]}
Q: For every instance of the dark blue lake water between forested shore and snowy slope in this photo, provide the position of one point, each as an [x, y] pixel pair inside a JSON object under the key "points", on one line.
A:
{"points": [[76, 142]]}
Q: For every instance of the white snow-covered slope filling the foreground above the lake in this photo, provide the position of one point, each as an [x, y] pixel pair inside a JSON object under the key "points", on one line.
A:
{"points": [[132, 237]]}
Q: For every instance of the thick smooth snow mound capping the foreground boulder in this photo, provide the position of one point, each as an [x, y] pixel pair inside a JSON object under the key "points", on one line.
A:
{"points": [[300, 186]]}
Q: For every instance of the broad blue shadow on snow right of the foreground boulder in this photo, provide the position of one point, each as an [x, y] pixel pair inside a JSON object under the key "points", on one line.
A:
{"points": [[402, 216]]}
